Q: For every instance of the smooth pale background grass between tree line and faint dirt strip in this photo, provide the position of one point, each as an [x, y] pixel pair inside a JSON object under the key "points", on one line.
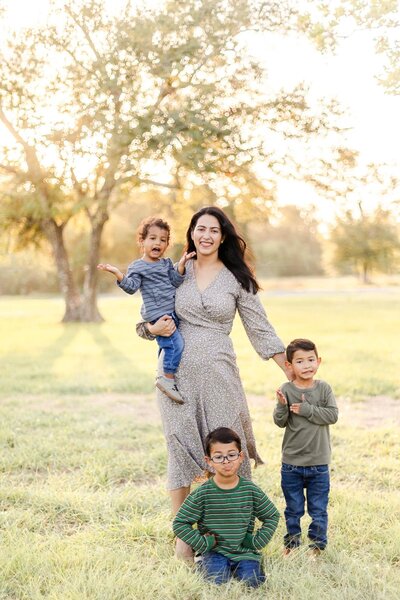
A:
{"points": [[357, 336]]}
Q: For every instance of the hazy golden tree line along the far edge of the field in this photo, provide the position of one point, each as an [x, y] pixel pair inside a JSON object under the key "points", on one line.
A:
{"points": [[289, 244]]}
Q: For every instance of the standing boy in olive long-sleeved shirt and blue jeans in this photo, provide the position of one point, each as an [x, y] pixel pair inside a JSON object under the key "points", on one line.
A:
{"points": [[305, 408]]}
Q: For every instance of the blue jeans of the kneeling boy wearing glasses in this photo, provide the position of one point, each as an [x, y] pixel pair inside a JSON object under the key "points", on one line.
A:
{"points": [[220, 569]]}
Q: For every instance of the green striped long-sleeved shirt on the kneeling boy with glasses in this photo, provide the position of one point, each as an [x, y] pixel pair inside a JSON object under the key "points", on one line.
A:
{"points": [[229, 515]]}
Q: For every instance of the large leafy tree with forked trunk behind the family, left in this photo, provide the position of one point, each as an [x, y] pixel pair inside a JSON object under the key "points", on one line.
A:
{"points": [[97, 103]]}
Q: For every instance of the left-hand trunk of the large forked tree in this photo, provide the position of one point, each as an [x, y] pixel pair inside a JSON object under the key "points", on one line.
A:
{"points": [[55, 235]]}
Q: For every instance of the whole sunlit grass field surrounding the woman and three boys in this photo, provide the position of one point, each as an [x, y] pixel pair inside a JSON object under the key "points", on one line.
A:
{"points": [[84, 514]]}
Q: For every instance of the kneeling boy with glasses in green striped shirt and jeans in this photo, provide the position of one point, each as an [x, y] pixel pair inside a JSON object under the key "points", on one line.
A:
{"points": [[224, 509]]}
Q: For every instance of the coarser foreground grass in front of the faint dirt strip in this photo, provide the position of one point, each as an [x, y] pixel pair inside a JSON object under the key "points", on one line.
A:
{"points": [[84, 513]]}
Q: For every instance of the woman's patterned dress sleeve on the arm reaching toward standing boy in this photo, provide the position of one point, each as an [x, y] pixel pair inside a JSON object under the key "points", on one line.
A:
{"points": [[259, 330]]}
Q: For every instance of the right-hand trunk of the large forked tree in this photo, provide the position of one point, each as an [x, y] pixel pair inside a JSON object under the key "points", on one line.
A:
{"points": [[89, 310]]}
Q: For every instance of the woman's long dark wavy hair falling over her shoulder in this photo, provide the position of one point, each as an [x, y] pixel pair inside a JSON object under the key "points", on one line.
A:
{"points": [[232, 251]]}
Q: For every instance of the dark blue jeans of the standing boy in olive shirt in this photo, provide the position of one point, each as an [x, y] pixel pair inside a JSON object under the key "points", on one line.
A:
{"points": [[315, 480]]}
